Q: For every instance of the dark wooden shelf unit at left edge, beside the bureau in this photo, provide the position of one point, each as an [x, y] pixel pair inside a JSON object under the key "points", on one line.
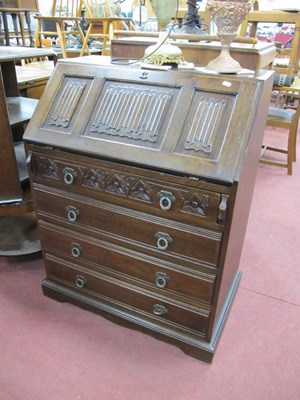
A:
{"points": [[15, 111]]}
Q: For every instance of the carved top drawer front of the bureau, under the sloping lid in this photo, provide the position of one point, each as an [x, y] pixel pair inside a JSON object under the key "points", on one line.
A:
{"points": [[162, 197]]}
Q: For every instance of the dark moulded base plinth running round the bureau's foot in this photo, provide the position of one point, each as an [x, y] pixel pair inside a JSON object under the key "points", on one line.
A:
{"points": [[190, 344]]}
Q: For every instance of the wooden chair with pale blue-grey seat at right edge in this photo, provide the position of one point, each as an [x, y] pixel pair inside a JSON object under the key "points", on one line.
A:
{"points": [[286, 119]]}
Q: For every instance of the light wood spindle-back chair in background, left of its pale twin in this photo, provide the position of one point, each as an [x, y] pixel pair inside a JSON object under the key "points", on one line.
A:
{"points": [[66, 16]]}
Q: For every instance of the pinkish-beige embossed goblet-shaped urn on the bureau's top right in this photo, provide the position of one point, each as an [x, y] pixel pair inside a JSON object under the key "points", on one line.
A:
{"points": [[228, 16]]}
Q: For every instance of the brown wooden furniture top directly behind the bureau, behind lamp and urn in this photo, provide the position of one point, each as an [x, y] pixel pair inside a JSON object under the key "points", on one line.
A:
{"points": [[250, 56]]}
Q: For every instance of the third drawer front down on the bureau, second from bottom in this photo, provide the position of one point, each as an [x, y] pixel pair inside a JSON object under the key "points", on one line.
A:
{"points": [[165, 277]]}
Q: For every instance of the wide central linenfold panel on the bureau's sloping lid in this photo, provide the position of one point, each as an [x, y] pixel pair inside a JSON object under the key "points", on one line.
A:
{"points": [[133, 112]]}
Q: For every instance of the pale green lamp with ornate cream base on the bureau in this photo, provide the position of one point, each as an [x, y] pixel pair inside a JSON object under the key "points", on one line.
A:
{"points": [[163, 52]]}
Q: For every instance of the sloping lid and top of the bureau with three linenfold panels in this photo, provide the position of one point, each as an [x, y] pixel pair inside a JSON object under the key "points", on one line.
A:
{"points": [[183, 122]]}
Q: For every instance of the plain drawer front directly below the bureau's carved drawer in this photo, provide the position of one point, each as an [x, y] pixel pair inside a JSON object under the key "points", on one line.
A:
{"points": [[162, 236]]}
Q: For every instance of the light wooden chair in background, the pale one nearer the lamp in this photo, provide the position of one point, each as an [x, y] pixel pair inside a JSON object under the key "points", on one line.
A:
{"points": [[101, 23]]}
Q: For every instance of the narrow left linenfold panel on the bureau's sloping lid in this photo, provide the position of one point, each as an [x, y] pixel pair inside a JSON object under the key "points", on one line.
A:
{"points": [[67, 103]]}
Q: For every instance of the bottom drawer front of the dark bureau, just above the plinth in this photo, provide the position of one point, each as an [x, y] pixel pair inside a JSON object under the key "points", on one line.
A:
{"points": [[134, 299]]}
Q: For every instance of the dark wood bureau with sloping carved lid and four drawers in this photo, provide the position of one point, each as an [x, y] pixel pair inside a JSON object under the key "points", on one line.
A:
{"points": [[142, 183]]}
